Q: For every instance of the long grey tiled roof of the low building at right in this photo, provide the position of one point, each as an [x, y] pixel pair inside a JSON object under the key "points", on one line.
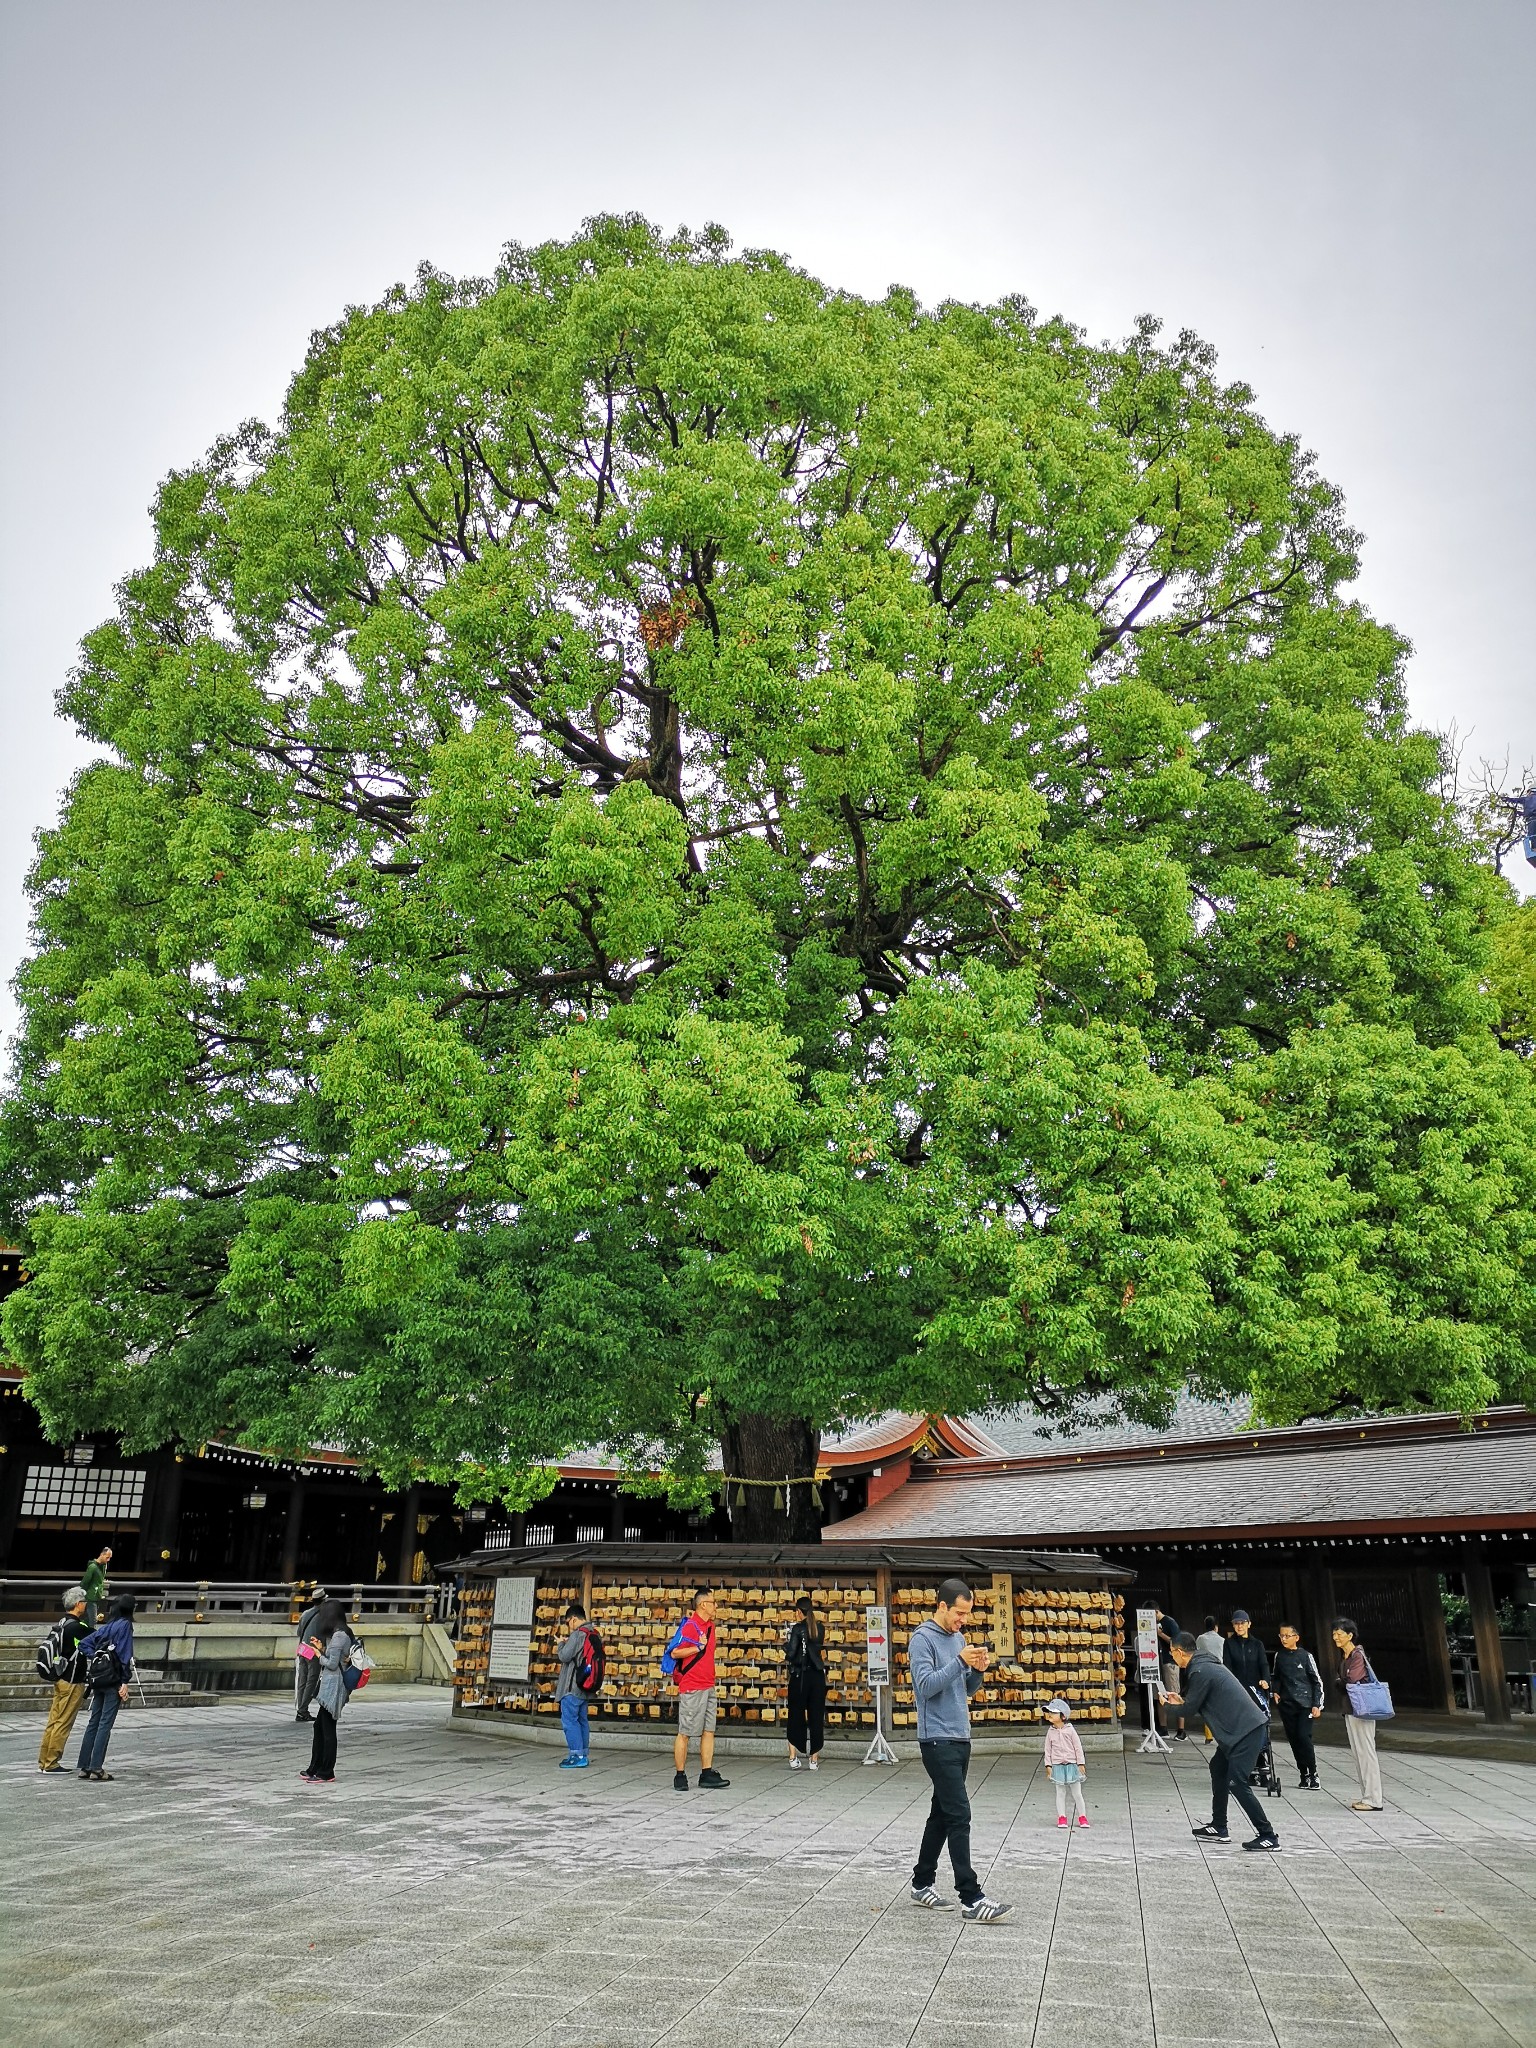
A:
{"points": [[1428, 1482]]}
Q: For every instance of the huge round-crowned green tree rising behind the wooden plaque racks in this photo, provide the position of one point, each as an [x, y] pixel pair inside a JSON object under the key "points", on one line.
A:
{"points": [[689, 857]]}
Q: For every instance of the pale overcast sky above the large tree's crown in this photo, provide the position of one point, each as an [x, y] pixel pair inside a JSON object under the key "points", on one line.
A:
{"points": [[1338, 194]]}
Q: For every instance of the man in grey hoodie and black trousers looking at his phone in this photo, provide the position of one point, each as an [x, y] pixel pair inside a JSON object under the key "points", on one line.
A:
{"points": [[945, 1672]]}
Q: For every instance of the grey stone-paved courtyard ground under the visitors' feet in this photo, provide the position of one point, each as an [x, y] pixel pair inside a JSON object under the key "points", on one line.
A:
{"points": [[458, 1889]]}
